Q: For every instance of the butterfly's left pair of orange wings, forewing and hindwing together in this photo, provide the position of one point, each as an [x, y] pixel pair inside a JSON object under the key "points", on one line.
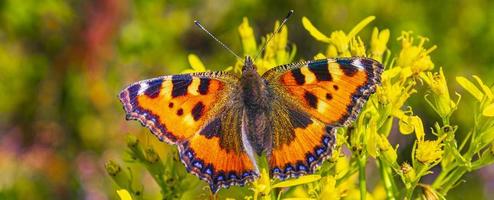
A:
{"points": [[194, 111]]}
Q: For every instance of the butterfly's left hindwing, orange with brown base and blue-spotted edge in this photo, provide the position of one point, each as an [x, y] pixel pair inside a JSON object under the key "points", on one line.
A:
{"points": [[217, 154]]}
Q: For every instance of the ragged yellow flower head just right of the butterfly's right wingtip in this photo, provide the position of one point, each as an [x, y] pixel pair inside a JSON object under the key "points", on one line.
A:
{"points": [[414, 56]]}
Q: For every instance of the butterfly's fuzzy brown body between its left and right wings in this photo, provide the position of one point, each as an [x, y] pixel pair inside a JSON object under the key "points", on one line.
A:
{"points": [[255, 95]]}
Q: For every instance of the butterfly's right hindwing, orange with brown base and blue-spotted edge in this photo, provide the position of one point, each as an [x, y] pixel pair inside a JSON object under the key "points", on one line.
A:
{"points": [[300, 142]]}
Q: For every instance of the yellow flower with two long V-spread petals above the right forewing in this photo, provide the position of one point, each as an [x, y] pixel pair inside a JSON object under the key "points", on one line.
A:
{"points": [[338, 39]]}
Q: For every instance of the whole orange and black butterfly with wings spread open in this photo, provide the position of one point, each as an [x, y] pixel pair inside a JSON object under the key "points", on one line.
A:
{"points": [[221, 120]]}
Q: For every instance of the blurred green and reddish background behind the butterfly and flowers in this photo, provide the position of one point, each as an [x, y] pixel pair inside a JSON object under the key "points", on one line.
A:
{"points": [[62, 64]]}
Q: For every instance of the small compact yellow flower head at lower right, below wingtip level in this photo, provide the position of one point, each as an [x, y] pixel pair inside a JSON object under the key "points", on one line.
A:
{"points": [[429, 151]]}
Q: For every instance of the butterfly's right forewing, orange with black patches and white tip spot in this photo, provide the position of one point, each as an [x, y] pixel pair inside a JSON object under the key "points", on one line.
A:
{"points": [[331, 90]]}
